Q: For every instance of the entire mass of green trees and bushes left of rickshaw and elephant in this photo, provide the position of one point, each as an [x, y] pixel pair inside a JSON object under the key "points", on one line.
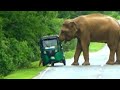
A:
{"points": [[20, 32]]}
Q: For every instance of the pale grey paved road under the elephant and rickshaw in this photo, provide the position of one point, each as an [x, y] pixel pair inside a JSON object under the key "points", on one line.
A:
{"points": [[97, 70]]}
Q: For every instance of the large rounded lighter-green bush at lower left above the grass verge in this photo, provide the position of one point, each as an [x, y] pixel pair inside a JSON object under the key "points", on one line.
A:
{"points": [[14, 55]]}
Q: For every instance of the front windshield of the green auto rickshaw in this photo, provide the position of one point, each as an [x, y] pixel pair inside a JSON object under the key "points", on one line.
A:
{"points": [[50, 44]]}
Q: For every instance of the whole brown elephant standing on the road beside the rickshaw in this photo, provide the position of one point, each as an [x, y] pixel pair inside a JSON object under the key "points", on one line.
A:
{"points": [[94, 27]]}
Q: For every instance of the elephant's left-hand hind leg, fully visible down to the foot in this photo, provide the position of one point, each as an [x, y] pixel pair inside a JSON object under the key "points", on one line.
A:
{"points": [[112, 54]]}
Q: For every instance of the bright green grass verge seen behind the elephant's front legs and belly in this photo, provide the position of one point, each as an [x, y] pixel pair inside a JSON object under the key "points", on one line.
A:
{"points": [[92, 48]]}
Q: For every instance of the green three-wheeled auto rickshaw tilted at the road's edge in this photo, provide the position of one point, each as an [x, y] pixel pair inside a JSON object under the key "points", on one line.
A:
{"points": [[51, 50]]}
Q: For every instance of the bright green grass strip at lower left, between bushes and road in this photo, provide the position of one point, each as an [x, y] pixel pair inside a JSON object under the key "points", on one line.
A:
{"points": [[26, 73]]}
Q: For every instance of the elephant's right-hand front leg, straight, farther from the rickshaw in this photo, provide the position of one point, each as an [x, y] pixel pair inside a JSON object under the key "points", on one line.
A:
{"points": [[85, 48]]}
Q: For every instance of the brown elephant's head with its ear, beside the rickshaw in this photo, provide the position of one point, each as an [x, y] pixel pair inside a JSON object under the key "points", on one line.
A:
{"points": [[68, 30]]}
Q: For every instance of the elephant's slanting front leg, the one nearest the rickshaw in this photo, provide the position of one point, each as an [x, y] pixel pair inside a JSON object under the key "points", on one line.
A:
{"points": [[77, 53]]}
